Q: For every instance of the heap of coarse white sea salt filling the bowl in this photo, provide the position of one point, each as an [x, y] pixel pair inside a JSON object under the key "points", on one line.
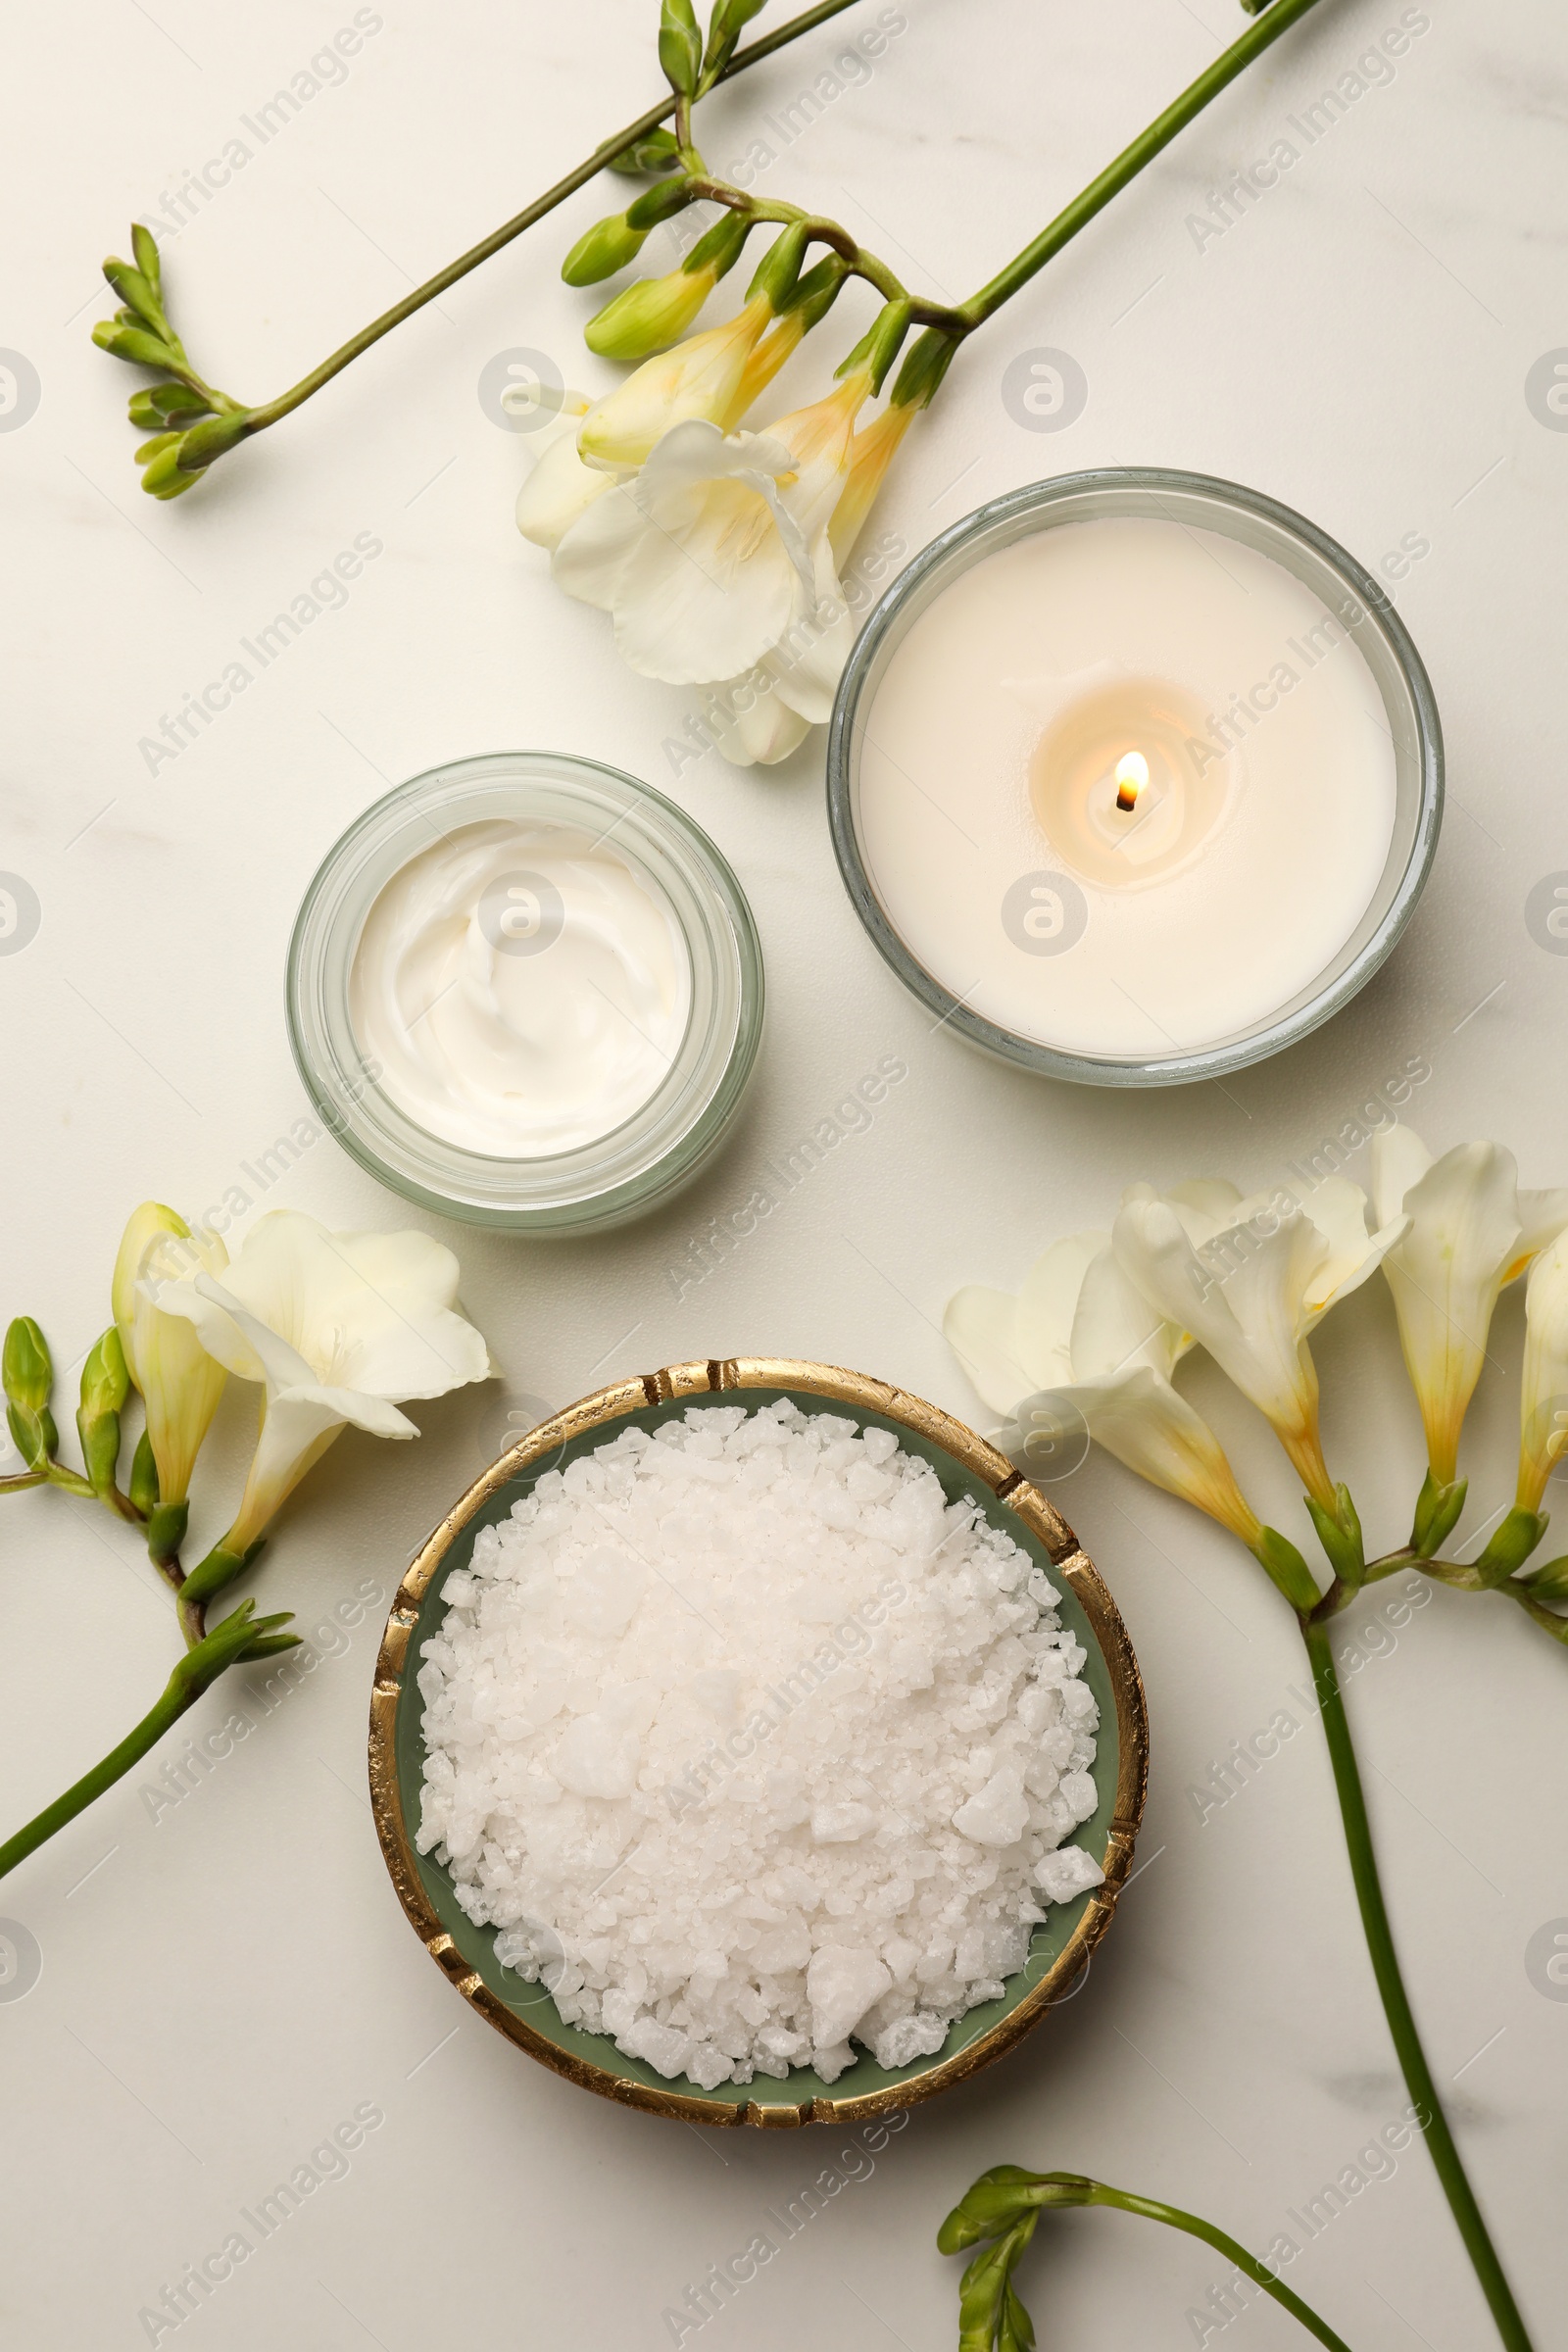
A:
{"points": [[756, 1749]]}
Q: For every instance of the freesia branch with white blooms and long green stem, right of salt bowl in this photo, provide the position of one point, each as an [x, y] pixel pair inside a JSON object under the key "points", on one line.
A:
{"points": [[1104, 1321]]}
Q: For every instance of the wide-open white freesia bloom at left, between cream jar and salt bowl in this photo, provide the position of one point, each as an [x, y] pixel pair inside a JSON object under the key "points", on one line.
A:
{"points": [[340, 1328]]}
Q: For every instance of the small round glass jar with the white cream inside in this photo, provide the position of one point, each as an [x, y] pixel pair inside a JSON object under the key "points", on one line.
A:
{"points": [[528, 991]]}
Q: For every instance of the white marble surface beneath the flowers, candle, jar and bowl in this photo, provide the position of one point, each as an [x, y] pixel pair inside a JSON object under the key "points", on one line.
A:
{"points": [[229, 1977]]}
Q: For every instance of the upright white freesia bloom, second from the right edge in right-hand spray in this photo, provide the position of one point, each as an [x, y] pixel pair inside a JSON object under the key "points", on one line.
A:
{"points": [[1470, 1231]]}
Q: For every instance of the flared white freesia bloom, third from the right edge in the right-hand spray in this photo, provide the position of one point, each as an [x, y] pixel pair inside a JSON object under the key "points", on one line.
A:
{"points": [[1249, 1281]]}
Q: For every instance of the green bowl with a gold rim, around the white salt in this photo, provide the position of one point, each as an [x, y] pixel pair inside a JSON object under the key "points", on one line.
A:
{"points": [[965, 1466]]}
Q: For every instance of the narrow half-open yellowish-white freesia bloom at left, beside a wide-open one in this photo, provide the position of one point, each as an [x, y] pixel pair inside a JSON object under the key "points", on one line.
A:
{"points": [[177, 1377]]}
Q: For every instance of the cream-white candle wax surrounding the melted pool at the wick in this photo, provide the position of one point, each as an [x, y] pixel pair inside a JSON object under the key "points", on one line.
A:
{"points": [[1275, 890]]}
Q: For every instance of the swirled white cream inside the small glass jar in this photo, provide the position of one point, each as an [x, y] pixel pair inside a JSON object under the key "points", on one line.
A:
{"points": [[521, 989]]}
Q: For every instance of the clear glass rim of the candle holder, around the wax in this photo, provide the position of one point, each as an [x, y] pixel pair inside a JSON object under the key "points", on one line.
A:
{"points": [[1275, 530]]}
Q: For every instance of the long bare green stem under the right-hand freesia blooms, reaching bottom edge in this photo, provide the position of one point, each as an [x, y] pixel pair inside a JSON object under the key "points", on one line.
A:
{"points": [[1395, 1998]]}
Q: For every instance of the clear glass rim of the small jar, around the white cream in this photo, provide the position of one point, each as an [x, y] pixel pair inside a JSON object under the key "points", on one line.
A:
{"points": [[669, 1137]]}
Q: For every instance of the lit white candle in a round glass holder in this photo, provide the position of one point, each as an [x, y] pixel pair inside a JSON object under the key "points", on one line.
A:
{"points": [[1134, 777]]}
